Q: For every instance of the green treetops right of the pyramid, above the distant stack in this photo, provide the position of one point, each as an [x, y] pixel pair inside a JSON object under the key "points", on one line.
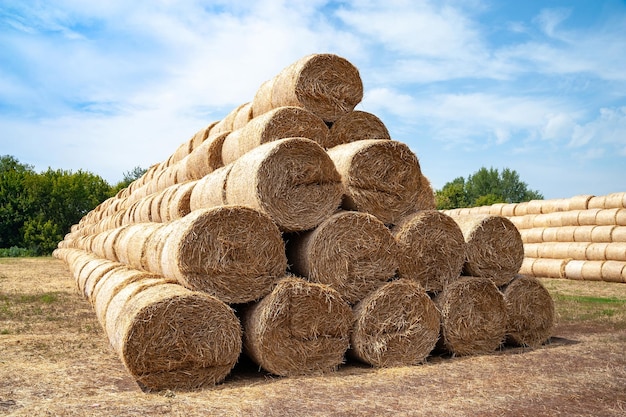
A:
{"points": [[485, 187]]}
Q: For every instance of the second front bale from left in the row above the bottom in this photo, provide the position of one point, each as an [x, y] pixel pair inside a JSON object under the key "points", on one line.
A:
{"points": [[352, 252]]}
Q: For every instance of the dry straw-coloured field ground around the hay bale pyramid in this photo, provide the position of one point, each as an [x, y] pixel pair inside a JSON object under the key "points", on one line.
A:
{"points": [[55, 360]]}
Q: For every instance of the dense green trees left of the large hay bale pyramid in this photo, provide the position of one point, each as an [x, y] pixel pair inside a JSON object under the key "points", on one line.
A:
{"points": [[38, 209]]}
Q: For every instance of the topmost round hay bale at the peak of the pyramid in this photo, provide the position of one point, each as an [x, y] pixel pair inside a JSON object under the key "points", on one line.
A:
{"points": [[325, 84]]}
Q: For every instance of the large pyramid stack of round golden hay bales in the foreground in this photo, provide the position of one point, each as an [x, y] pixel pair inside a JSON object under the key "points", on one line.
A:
{"points": [[297, 231]]}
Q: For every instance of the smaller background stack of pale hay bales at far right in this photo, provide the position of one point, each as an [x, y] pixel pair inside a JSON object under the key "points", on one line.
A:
{"points": [[582, 238]]}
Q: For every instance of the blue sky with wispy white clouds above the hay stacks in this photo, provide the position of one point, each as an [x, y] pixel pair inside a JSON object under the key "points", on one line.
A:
{"points": [[534, 86]]}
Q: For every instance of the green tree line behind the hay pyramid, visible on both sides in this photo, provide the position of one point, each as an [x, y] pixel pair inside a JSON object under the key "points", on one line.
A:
{"points": [[38, 209]]}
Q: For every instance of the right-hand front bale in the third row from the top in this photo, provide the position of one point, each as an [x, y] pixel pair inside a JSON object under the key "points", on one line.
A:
{"points": [[381, 177]]}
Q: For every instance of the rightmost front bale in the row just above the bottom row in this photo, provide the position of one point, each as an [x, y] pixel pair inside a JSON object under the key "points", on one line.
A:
{"points": [[494, 247]]}
